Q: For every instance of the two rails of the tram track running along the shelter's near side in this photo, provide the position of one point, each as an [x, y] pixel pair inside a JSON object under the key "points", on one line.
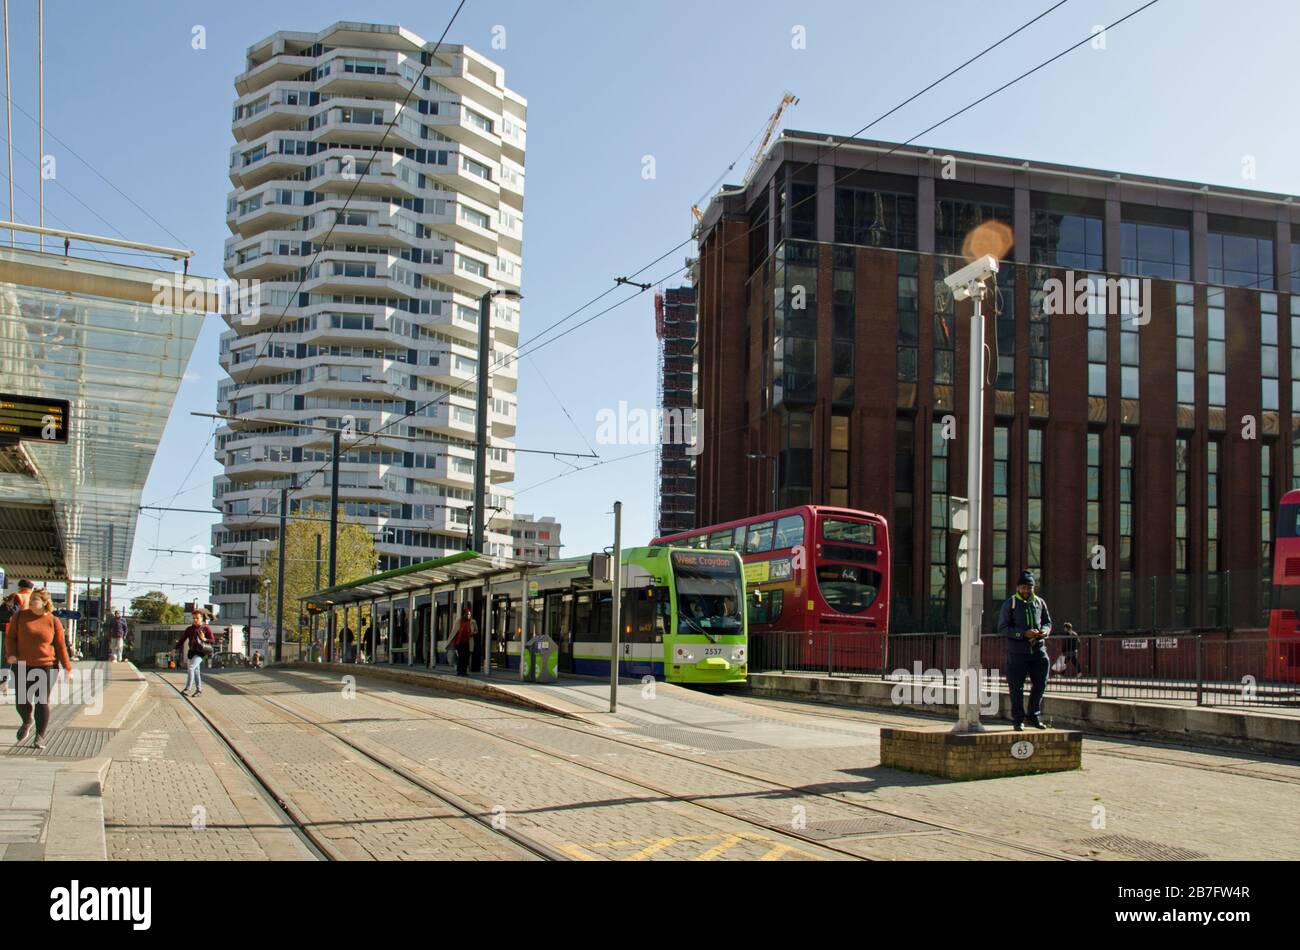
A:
{"points": [[775, 784]]}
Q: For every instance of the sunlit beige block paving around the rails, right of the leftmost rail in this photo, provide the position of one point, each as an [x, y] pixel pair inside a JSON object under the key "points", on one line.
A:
{"points": [[583, 790]]}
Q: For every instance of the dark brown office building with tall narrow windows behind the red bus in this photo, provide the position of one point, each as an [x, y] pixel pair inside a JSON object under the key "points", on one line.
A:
{"points": [[1134, 465]]}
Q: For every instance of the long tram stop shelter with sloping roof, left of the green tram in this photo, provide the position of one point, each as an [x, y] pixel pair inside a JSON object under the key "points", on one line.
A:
{"points": [[405, 617]]}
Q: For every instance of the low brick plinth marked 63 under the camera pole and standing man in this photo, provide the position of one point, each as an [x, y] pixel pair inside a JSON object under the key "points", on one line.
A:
{"points": [[938, 751]]}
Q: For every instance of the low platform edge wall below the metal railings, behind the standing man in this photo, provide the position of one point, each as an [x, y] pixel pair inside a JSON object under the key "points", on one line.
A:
{"points": [[1253, 731]]}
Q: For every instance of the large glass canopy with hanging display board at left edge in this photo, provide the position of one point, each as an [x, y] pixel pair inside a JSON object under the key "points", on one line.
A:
{"points": [[98, 336]]}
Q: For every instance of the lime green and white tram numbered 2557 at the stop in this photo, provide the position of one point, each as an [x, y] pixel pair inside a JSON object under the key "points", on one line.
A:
{"points": [[683, 617]]}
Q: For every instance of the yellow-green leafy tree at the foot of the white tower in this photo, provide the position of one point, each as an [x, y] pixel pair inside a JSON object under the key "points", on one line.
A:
{"points": [[357, 559]]}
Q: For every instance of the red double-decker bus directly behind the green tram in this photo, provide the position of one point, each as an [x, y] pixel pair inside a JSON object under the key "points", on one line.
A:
{"points": [[822, 571]]}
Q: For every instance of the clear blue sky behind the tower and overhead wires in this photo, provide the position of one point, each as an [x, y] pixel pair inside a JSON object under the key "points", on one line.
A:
{"points": [[1185, 90]]}
